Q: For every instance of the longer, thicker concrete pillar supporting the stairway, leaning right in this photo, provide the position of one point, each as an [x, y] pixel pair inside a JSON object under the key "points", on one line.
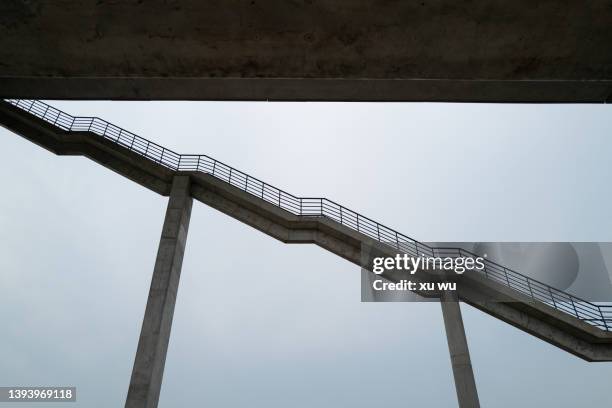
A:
{"points": [[150, 358]]}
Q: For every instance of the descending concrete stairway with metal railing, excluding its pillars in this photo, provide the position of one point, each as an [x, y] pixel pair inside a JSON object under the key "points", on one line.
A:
{"points": [[580, 327]]}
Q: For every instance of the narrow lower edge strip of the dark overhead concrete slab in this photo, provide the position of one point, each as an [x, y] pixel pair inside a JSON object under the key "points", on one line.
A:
{"points": [[308, 89]]}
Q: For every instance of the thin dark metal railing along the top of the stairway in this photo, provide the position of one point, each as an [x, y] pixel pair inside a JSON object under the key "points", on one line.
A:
{"points": [[594, 314]]}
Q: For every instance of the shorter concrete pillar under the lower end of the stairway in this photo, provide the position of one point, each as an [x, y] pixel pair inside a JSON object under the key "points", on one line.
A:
{"points": [[459, 352]]}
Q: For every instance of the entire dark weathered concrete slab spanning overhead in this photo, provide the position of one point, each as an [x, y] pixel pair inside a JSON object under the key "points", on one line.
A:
{"points": [[438, 50]]}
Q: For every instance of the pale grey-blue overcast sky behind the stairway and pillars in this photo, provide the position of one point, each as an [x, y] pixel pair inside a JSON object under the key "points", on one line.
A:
{"points": [[262, 323]]}
